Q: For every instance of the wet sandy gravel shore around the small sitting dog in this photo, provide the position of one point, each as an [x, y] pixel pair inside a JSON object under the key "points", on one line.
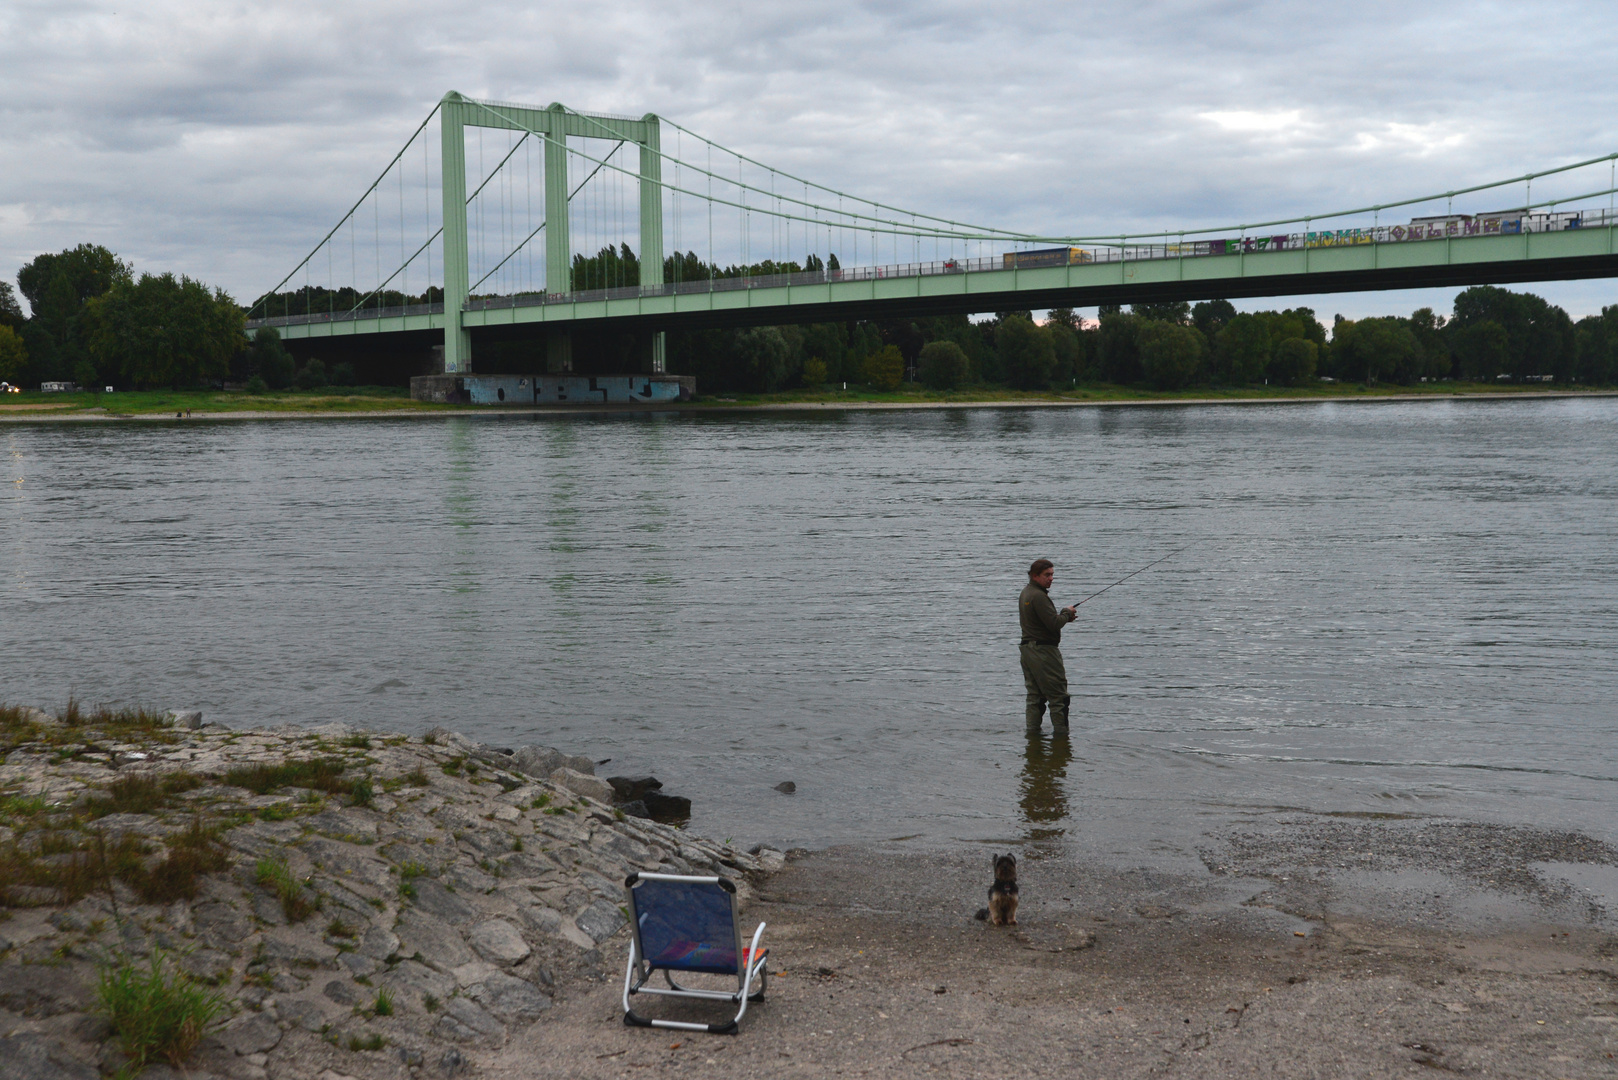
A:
{"points": [[1289, 955]]}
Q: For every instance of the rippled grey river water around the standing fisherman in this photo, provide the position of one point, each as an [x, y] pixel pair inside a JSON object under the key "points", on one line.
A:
{"points": [[1389, 608]]}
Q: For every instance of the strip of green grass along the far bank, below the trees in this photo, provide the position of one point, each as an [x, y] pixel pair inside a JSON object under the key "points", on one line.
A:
{"points": [[373, 401]]}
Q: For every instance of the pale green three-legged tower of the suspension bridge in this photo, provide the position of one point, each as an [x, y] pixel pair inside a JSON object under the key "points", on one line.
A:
{"points": [[554, 125]]}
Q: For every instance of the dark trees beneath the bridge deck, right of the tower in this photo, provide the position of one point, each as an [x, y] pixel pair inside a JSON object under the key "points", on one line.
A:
{"points": [[1491, 336]]}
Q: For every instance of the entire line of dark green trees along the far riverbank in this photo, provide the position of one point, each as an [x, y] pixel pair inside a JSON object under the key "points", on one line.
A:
{"points": [[95, 323]]}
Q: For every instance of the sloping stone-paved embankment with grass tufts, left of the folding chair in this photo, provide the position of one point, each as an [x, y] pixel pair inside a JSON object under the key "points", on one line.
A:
{"points": [[365, 904]]}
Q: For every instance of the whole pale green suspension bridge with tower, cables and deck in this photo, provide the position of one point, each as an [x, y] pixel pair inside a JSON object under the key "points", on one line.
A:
{"points": [[520, 227]]}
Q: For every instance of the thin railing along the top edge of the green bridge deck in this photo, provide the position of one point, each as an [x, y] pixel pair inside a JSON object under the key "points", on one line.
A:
{"points": [[1125, 250]]}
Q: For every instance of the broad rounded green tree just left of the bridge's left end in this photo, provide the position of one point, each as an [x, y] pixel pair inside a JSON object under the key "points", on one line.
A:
{"points": [[164, 331]]}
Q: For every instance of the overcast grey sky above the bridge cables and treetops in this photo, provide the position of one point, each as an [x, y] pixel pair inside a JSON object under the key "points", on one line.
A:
{"points": [[222, 140]]}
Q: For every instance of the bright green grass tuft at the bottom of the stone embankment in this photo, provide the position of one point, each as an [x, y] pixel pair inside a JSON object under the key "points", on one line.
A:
{"points": [[156, 1011]]}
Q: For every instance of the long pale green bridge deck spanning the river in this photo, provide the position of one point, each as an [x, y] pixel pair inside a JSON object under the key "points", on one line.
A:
{"points": [[1133, 276]]}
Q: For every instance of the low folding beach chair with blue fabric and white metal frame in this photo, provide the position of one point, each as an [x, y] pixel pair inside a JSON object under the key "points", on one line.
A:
{"points": [[690, 925]]}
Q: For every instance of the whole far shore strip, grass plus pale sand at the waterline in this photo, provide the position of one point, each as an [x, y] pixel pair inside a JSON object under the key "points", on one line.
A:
{"points": [[216, 406]]}
